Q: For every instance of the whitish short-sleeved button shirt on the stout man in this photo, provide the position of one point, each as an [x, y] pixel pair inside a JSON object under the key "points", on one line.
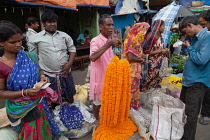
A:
{"points": [[51, 49]]}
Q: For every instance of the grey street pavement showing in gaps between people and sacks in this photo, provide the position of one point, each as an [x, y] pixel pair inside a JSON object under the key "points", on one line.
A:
{"points": [[79, 79]]}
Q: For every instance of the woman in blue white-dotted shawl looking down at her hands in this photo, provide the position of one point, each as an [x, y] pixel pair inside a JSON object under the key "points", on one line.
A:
{"points": [[26, 106]]}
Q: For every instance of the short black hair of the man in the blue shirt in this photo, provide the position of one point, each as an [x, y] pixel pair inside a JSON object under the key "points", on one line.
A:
{"points": [[187, 20]]}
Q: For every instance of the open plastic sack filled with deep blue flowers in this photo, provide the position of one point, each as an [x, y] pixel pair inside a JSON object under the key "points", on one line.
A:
{"points": [[73, 120]]}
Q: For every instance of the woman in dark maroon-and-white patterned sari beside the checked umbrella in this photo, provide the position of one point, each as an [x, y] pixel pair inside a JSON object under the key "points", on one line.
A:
{"points": [[153, 47]]}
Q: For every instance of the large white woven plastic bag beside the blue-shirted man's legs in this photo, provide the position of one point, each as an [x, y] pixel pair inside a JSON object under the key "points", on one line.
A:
{"points": [[168, 119]]}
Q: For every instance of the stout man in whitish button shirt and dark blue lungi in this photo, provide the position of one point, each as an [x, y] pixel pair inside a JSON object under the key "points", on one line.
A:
{"points": [[56, 53]]}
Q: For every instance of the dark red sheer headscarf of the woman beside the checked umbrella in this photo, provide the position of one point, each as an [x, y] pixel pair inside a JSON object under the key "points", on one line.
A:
{"points": [[151, 36]]}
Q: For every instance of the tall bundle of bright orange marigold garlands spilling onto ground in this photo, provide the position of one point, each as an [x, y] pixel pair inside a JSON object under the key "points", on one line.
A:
{"points": [[116, 96]]}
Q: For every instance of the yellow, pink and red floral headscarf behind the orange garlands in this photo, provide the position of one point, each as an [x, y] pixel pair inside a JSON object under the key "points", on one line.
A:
{"points": [[135, 38]]}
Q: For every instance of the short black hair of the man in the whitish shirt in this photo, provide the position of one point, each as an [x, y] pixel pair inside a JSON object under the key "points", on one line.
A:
{"points": [[49, 15]]}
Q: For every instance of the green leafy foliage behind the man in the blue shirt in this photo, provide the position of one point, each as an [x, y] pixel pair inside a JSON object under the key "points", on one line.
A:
{"points": [[180, 60]]}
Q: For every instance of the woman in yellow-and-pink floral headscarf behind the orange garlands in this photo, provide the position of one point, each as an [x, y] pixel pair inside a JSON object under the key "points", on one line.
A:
{"points": [[133, 51]]}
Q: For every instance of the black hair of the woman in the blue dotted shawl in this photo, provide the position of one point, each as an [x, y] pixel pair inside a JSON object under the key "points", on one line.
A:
{"points": [[8, 29]]}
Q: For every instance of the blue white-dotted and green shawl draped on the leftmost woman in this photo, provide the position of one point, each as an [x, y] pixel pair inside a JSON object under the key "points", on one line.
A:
{"points": [[24, 75]]}
